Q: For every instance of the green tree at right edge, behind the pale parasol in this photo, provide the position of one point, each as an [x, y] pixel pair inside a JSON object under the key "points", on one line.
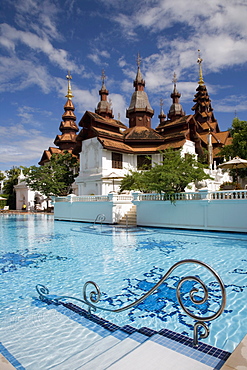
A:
{"points": [[238, 147]]}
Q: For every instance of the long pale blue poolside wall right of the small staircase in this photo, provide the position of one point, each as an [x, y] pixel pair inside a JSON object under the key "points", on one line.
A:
{"points": [[218, 215]]}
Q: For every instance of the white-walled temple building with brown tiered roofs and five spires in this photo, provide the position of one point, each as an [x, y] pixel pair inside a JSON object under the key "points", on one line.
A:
{"points": [[107, 149]]}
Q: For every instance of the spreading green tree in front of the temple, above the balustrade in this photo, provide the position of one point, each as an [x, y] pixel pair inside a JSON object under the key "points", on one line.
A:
{"points": [[171, 176]]}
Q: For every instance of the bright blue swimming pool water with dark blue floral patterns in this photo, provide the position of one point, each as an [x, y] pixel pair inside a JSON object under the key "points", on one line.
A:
{"points": [[125, 264]]}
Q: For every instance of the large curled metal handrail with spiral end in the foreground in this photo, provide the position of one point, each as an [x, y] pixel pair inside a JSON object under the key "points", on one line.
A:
{"points": [[94, 297]]}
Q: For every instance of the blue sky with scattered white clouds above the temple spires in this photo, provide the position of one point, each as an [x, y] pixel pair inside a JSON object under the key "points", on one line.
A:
{"points": [[41, 39]]}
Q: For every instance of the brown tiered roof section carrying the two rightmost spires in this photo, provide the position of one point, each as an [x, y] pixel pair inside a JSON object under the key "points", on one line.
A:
{"points": [[196, 127]]}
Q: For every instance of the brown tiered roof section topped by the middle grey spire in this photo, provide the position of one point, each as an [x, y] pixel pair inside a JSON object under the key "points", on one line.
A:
{"points": [[114, 135]]}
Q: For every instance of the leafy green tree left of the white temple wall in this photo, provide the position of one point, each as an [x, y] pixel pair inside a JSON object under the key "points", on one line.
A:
{"points": [[55, 177]]}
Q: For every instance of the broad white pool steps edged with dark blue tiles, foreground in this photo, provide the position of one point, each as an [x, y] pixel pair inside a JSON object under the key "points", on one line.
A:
{"points": [[92, 343]]}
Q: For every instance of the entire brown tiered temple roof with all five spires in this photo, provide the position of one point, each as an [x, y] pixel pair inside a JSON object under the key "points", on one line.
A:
{"points": [[139, 137]]}
